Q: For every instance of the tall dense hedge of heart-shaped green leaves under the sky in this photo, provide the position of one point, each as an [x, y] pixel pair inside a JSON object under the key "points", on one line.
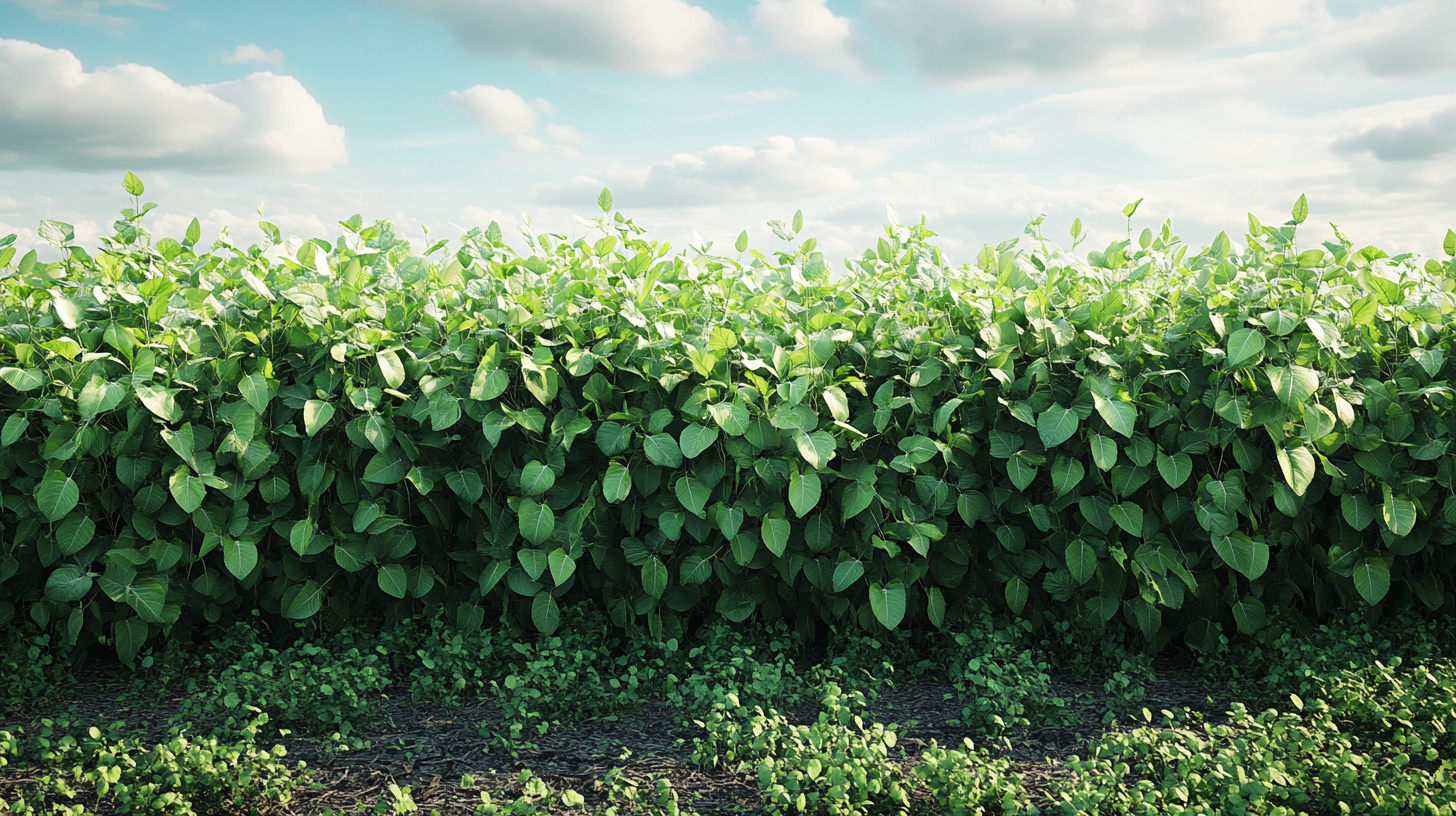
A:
{"points": [[1166, 436]]}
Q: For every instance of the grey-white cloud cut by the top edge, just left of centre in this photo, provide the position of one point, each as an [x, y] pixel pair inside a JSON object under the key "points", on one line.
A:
{"points": [[652, 37]]}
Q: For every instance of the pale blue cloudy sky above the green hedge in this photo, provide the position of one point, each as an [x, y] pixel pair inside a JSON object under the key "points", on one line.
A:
{"points": [[710, 117]]}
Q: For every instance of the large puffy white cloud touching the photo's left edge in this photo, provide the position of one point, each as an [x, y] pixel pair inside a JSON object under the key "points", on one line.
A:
{"points": [[133, 117]]}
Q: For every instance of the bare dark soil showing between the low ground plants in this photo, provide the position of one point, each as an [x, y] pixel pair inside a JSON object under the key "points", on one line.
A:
{"points": [[430, 748]]}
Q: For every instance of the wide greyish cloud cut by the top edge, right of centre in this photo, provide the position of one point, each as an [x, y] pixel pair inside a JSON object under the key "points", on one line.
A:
{"points": [[956, 42]]}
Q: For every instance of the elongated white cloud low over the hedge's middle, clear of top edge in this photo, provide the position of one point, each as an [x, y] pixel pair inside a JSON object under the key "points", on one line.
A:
{"points": [[780, 170]]}
